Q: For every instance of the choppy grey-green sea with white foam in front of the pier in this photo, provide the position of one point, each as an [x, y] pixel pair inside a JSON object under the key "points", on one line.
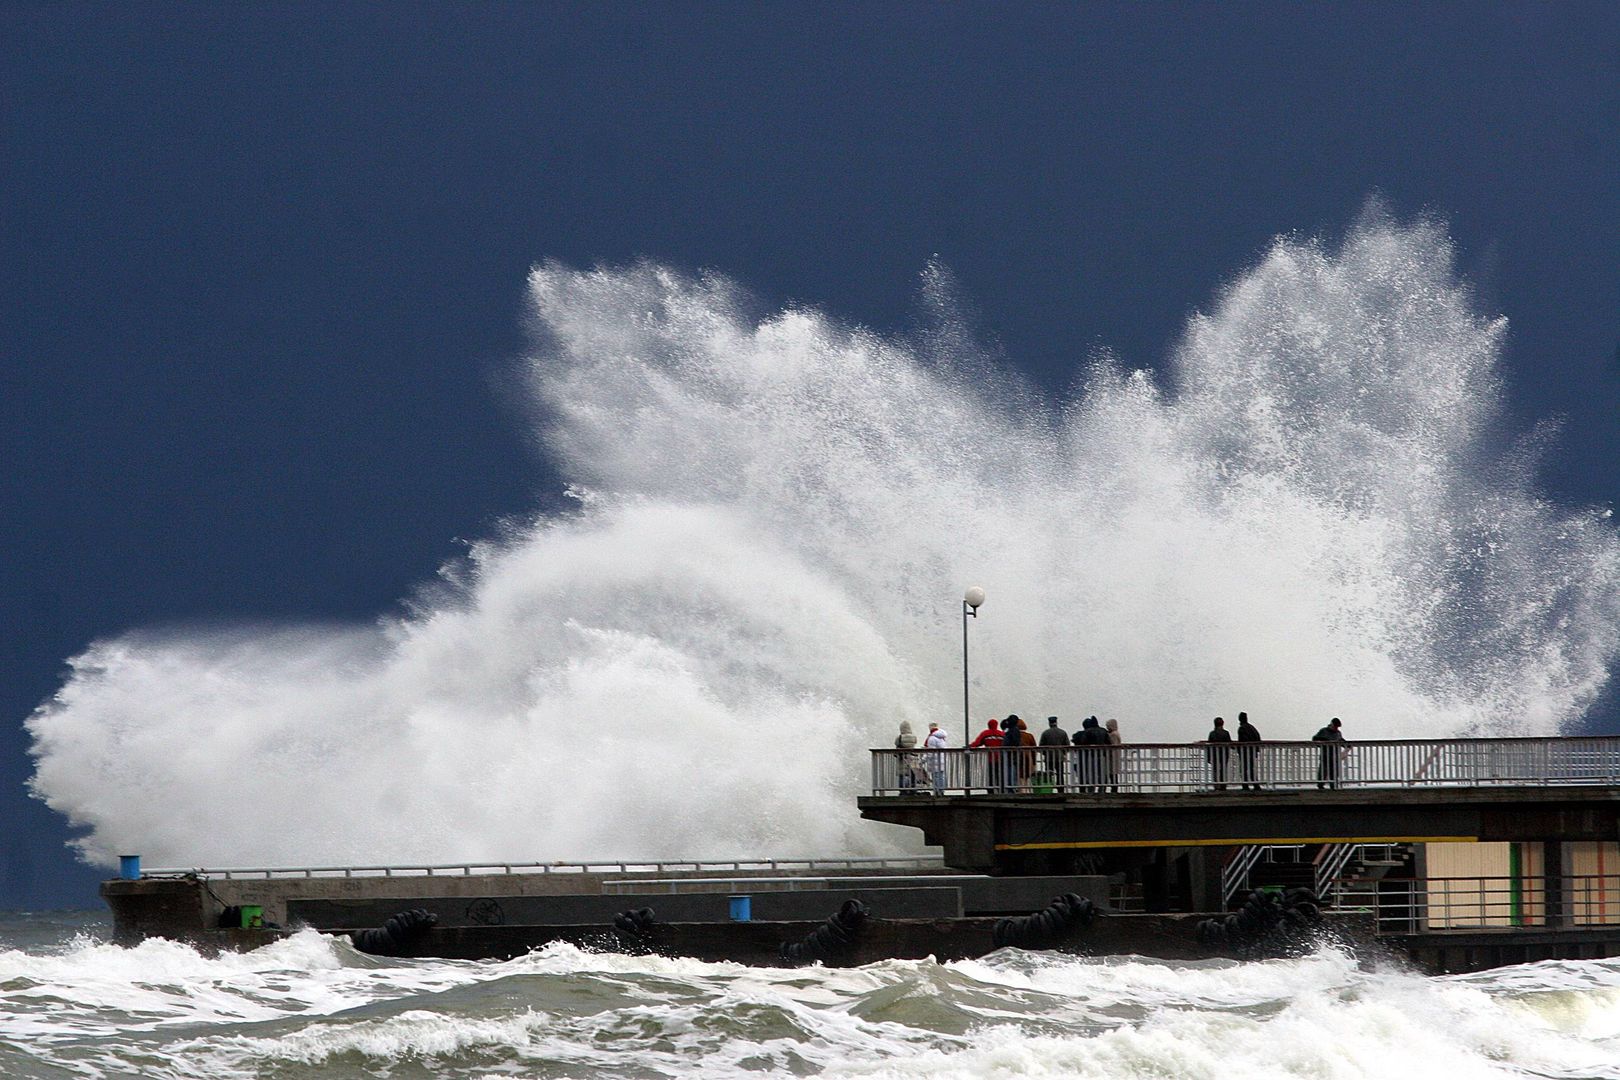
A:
{"points": [[75, 1006]]}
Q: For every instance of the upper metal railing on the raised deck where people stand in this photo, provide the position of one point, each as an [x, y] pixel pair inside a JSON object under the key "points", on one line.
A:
{"points": [[1234, 767]]}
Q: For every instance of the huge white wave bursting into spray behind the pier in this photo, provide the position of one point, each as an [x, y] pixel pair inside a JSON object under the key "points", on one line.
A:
{"points": [[1318, 512]]}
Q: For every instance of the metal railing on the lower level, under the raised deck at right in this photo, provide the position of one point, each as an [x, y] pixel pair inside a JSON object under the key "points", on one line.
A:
{"points": [[1405, 906]]}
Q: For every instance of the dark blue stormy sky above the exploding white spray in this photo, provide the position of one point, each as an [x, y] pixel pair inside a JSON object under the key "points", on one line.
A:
{"points": [[265, 266]]}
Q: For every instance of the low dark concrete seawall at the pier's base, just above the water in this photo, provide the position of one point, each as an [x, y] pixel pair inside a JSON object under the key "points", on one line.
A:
{"points": [[940, 916]]}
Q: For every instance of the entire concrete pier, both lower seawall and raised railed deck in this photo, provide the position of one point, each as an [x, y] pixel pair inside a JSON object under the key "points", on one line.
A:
{"points": [[1486, 853]]}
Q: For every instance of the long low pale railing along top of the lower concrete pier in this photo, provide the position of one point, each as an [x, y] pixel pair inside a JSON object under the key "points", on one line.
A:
{"points": [[466, 870]]}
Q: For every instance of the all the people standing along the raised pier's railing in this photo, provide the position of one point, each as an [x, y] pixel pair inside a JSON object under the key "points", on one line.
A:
{"points": [[1017, 760]]}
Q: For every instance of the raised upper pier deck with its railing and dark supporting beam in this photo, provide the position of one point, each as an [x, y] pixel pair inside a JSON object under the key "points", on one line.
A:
{"points": [[1174, 815]]}
